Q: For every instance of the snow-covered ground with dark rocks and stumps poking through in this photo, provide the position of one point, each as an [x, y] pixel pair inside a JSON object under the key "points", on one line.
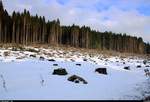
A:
{"points": [[21, 73]]}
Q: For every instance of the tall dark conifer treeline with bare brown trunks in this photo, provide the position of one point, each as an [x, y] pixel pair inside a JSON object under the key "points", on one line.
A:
{"points": [[22, 28]]}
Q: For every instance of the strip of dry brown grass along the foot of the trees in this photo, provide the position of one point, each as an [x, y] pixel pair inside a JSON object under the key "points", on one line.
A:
{"points": [[84, 51]]}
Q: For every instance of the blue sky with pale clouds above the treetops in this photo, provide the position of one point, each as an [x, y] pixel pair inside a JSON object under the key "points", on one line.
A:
{"points": [[125, 16]]}
